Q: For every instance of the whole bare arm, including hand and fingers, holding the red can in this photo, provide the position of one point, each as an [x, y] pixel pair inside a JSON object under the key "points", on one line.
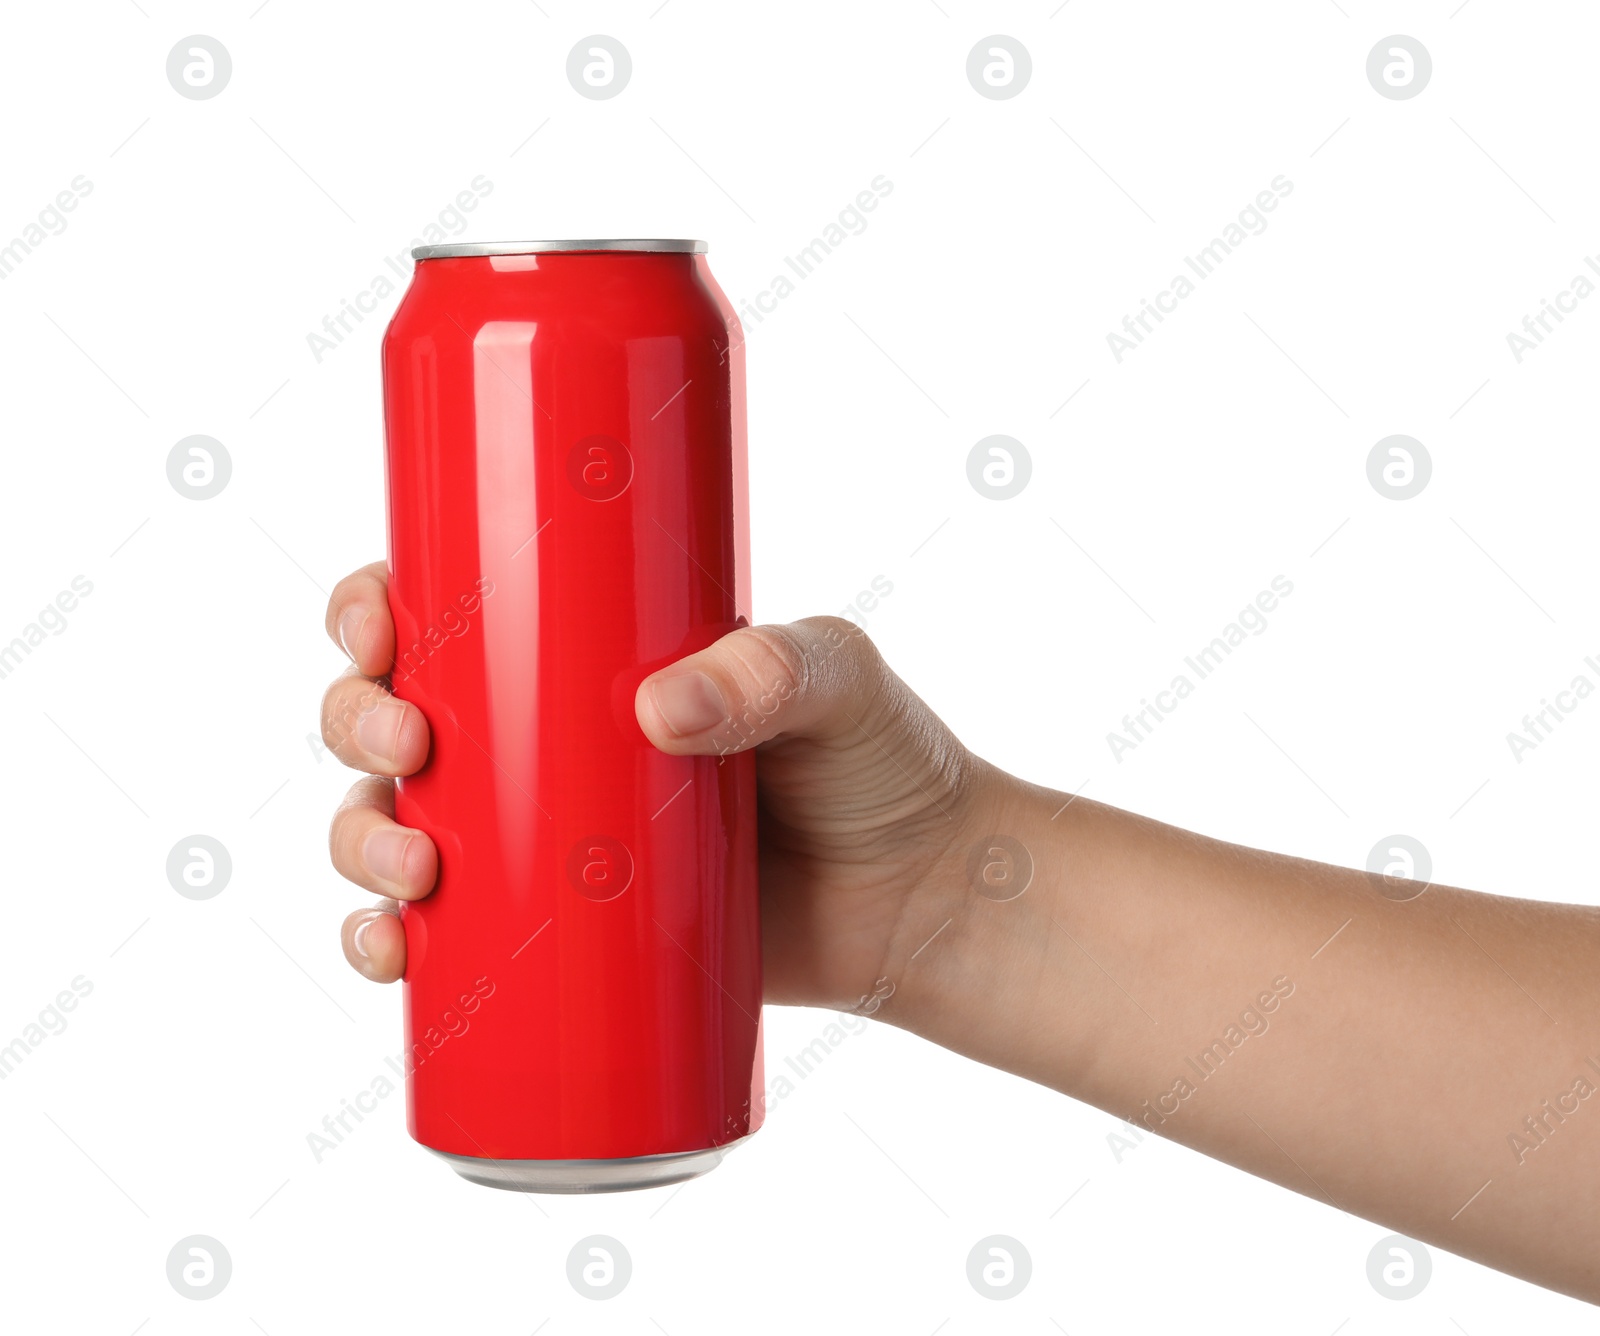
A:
{"points": [[1417, 1062]]}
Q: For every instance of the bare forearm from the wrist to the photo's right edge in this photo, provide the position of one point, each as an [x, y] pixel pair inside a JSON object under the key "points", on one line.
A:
{"points": [[1289, 1018]]}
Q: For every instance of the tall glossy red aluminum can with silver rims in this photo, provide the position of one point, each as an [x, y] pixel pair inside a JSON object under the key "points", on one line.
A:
{"points": [[567, 514]]}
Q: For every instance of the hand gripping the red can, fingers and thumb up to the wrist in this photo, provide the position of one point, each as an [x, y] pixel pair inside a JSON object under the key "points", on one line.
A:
{"points": [[866, 799]]}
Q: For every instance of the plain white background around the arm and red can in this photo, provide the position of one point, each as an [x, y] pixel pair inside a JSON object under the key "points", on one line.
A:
{"points": [[1228, 450]]}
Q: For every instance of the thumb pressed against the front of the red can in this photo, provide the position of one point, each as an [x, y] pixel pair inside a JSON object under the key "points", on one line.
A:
{"points": [[814, 679]]}
